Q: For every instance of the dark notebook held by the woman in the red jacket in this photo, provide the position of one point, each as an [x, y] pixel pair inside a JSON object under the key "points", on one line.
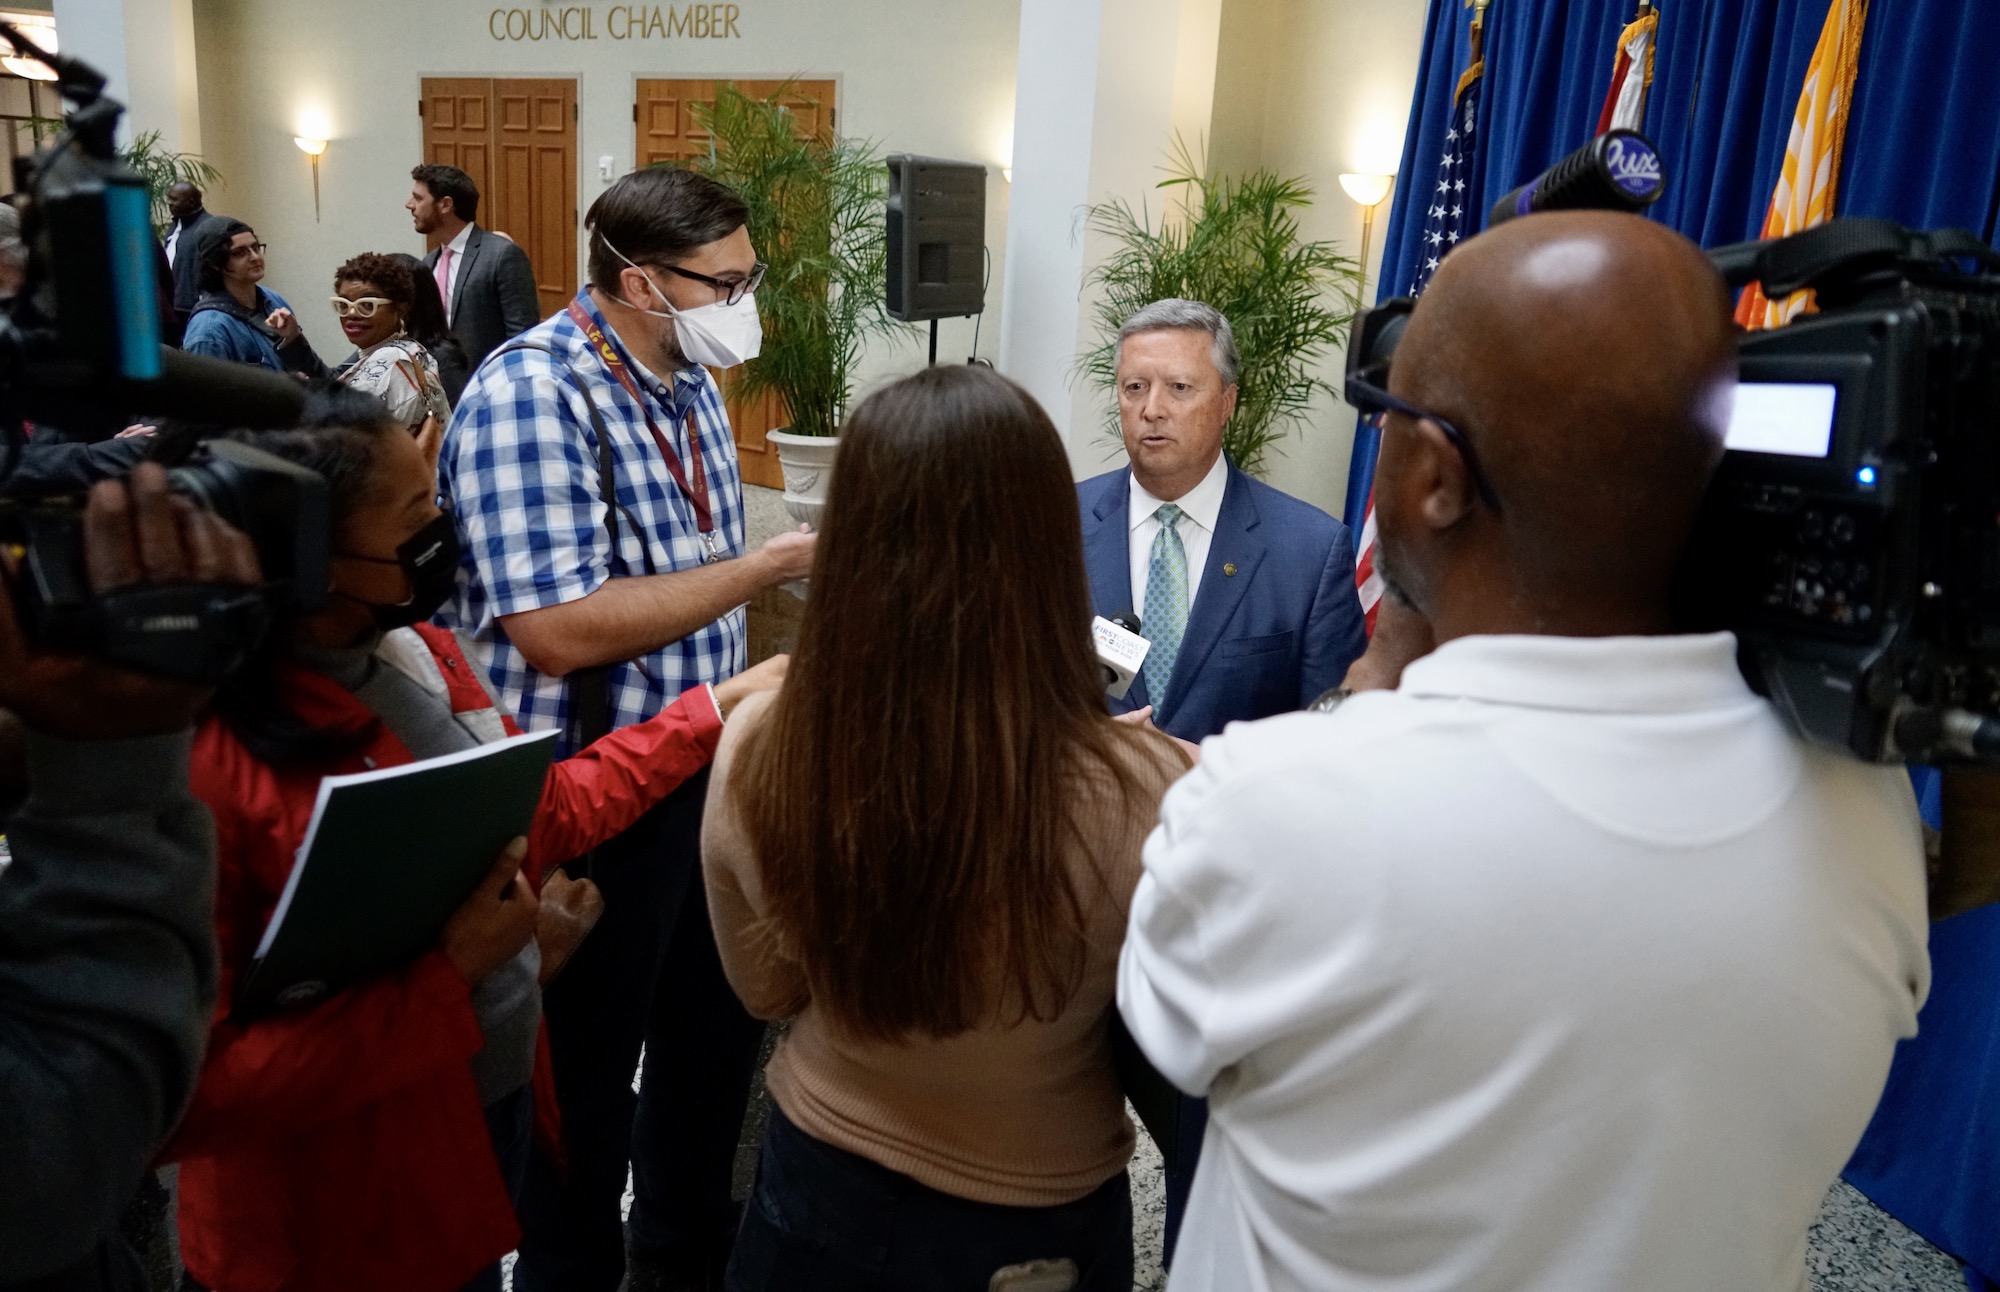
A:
{"points": [[389, 857]]}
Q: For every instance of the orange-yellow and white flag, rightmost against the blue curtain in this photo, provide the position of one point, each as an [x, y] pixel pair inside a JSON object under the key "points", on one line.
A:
{"points": [[1805, 195]]}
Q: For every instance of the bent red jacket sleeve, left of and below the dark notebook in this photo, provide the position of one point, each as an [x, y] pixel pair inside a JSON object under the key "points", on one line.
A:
{"points": [[283, 1073]]}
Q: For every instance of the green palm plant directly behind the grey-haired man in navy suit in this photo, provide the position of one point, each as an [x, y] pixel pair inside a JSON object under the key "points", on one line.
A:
{"points": [[1233, 243]]}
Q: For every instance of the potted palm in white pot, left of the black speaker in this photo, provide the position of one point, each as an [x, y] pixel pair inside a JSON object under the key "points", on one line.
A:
{"points": [[817, 219]]}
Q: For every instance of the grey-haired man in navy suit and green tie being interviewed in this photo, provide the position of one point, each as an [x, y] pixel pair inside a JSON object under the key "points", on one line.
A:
{"points": [[1247, 595]]}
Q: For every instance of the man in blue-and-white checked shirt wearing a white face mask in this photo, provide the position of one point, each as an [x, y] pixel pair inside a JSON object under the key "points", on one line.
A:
{"points": [[599, 503]]}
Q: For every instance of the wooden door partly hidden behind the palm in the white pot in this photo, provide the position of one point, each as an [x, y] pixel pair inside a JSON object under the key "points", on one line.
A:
{"points": [[667, 133]]}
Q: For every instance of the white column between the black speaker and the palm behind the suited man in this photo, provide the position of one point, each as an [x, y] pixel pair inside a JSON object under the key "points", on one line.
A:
{"points": [[1101, 91]]}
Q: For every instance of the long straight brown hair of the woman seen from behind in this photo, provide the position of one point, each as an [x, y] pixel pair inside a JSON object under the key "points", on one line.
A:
{"points": [[917, 829]]}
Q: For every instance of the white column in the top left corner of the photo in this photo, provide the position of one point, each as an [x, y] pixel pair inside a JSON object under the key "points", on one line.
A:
{"points": [[147, 53]]}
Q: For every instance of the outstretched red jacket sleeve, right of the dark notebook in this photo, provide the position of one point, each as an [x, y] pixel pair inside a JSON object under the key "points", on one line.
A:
{"points": [[613, 783]]}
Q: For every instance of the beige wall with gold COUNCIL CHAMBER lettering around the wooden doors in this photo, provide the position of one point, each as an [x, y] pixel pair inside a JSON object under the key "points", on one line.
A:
{"points": [[933, 77]]}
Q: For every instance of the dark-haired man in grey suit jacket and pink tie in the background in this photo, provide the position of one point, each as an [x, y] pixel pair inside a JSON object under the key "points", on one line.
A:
{"points": [[485, 279]]}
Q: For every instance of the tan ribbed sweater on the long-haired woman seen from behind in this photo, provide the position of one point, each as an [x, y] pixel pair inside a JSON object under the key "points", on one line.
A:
{"points": [[1027, 1115]]}
